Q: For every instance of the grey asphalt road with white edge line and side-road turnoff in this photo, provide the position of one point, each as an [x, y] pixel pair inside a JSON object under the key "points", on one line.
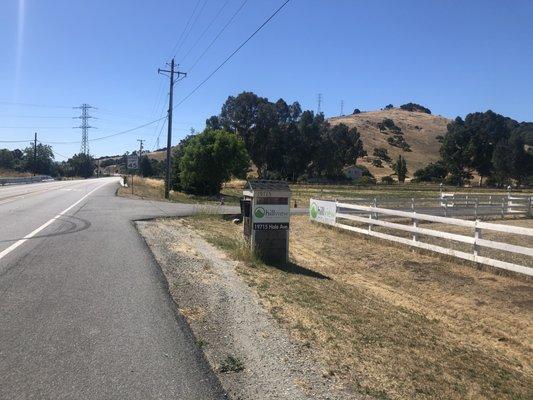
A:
{"points": [[84, 311]]}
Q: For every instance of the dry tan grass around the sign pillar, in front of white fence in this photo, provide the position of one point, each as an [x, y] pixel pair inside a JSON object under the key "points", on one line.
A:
{"points": [[394, 323]]}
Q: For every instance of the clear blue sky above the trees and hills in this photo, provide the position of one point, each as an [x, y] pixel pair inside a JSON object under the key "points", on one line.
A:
{"points": [[454, 57]]}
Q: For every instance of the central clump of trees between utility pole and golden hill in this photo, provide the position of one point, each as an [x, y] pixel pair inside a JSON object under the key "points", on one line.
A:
{"points": [[281, 140]]}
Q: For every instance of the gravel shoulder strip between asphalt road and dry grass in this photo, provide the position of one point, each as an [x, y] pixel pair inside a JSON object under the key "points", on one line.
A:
{"points": [[228, 320]]}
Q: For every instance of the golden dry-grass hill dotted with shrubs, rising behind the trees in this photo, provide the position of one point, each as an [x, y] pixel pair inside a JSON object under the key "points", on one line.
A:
{"points": [[419, 130]]}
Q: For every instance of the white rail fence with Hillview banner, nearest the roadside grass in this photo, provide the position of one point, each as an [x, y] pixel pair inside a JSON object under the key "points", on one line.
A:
{"points": [[339, 213]]}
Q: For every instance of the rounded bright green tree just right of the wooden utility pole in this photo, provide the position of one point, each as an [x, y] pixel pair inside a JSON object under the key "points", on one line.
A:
{"points": [[211, 158]]}
